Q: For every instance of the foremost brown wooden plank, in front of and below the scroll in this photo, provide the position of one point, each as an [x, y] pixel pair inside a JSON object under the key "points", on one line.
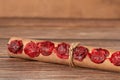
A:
{"points": [[38, 70]]}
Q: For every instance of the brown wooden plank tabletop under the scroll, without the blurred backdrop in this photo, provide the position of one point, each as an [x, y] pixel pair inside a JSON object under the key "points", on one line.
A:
{"points": [[18, 69]]}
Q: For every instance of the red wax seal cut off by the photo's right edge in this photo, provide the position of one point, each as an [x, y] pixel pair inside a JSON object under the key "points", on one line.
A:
{"points": [[115, 58]]}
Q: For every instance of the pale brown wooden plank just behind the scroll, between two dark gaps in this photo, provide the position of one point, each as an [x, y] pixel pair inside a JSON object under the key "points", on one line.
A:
{"points": [[61, 32]]}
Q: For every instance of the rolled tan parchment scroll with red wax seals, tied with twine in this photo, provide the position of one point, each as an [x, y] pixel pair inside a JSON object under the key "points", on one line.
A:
{"points": [[72, 54]]}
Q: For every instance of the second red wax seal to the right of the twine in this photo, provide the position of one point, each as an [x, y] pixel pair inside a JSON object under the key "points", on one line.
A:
{"points": [[98, 55]]}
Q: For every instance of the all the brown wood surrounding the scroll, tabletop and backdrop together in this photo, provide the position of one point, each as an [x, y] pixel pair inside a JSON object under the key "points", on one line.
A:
{"points": [[92, 22]]}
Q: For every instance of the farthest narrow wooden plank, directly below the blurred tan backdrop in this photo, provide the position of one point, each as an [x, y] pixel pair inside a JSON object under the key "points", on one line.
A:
{"points": [[59, 22]]}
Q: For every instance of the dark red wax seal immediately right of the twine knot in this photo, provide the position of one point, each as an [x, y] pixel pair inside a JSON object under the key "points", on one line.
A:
{"points": [[80, 52]]}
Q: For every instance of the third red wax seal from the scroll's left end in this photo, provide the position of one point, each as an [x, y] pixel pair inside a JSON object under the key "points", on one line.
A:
{"points": [[46, 47]]}
